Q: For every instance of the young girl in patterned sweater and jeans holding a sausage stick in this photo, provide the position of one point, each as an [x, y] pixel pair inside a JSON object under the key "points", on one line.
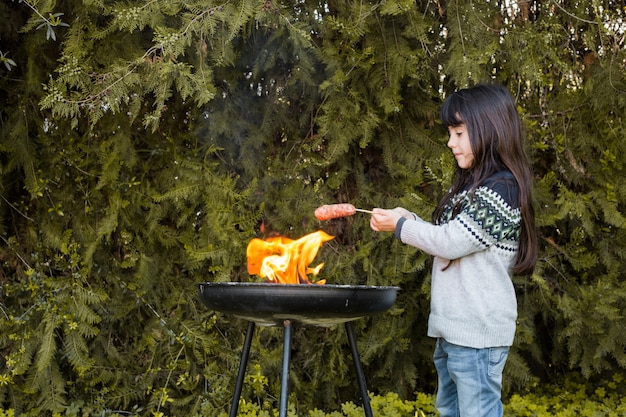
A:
{"points": [[482, 232]]}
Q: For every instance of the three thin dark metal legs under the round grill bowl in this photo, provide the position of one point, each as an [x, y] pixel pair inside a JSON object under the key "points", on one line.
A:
{"points": [[284, 383]]}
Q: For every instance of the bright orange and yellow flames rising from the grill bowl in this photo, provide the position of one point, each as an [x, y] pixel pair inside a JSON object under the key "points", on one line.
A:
{"points": [[286, 261]]}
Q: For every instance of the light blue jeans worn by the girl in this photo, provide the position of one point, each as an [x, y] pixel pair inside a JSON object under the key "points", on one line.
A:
{"points": [[470, 380]]}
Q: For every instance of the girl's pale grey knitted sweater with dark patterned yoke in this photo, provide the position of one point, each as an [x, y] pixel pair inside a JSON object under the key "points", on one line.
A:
{"points": [[473, 301]]}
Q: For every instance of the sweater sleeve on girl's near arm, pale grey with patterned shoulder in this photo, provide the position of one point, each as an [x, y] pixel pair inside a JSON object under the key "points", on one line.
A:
{"points": [[485, 219]]}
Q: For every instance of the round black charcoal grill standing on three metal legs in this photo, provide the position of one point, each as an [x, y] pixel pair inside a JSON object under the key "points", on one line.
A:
{"points": [[269, 304]]}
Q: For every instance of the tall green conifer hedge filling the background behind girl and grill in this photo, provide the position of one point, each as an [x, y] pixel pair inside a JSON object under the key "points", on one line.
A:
{"points": [[143, 149]]}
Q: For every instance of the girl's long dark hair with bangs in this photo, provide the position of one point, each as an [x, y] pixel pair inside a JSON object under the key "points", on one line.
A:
{"points": [[496, 136]]}
